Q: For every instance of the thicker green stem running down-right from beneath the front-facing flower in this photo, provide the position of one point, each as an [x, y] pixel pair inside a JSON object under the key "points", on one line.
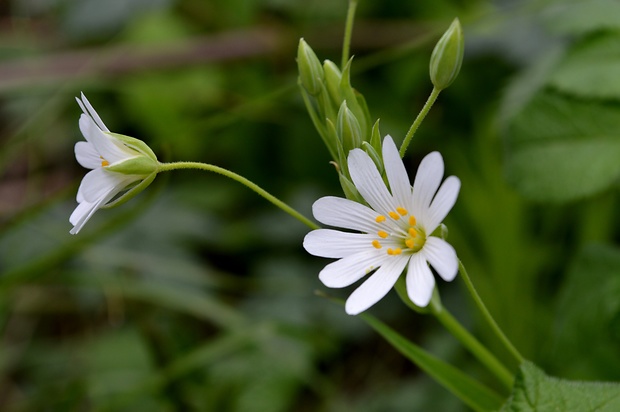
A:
{"points": [[473, 345]]}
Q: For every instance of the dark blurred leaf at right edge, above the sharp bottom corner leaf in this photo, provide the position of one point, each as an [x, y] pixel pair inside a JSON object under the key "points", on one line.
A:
{"points": [[588, 312]]}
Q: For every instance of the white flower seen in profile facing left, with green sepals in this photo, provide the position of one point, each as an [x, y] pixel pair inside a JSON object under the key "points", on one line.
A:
{"points": [[118, 163]]}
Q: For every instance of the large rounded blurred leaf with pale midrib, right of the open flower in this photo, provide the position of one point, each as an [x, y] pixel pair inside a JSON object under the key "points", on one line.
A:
{"points": [[561, 150]]}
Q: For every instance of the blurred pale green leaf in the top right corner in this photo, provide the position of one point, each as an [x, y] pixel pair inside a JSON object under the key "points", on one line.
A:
{"points": [[581, 16]]}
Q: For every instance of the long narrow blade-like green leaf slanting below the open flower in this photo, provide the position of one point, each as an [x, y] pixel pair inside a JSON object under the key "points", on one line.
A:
{"points": [[474, 394]]}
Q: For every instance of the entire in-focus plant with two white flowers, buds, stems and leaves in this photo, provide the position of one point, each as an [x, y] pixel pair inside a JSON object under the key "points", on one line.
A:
{"points": [[383, 231]]}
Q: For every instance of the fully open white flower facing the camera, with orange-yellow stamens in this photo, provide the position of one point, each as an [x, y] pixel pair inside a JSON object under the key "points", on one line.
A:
{"points": [[396, 228]]}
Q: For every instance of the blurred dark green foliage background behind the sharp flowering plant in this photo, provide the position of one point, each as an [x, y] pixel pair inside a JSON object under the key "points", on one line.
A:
{"points": [[198, 296]]}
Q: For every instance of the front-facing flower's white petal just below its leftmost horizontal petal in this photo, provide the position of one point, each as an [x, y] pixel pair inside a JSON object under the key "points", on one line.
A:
{"points": [[352, 268]]}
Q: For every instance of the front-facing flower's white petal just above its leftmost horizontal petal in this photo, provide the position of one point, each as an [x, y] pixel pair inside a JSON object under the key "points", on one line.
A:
{"points": [[346, 214]]}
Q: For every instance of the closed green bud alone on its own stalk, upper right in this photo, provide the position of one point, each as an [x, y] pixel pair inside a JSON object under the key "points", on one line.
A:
{"points": [[447, 56]]}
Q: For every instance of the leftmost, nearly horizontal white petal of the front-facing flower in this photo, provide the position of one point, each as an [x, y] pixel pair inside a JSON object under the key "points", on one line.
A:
{"points": [[335, 244]]}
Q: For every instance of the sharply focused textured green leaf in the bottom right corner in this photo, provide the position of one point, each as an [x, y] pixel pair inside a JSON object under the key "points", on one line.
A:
{"points": [[535, 391]]}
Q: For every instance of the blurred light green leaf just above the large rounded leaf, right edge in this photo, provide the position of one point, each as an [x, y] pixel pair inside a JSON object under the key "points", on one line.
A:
{"points": [[590, 68]]}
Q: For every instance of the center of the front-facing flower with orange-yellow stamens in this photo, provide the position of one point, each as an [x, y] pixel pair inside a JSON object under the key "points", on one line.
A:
{"points": [[401, 228]]}
